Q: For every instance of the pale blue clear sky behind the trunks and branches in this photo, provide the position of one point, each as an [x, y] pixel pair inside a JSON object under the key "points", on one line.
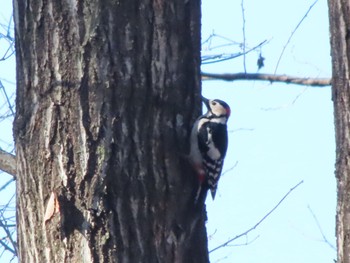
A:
{"points": [[279, 134]]}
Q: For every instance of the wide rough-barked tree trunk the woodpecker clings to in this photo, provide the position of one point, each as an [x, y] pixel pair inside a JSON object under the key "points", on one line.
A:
{"points": [[107, 93]]}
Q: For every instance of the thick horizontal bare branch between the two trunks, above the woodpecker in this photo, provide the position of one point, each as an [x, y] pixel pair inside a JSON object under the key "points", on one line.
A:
{"points": [[314, 82]]}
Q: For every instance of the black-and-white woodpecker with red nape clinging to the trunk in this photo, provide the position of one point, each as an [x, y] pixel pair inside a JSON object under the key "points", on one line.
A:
{"points": [[209, 145]]}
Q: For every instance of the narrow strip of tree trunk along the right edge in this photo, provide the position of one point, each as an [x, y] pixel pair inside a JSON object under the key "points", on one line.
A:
{"points": [[339, 15]]}
